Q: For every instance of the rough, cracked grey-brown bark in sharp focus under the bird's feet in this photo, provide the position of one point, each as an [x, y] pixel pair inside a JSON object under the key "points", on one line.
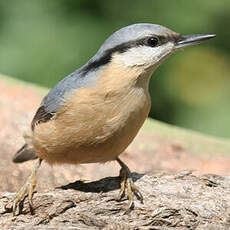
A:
{"points": [[171, 201]]}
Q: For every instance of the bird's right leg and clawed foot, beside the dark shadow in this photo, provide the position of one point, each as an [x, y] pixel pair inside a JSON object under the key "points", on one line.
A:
{"points": [[127, 185]]}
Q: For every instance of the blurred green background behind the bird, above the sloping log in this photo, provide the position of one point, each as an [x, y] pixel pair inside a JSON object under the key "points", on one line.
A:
{"points": [[41, 41]]}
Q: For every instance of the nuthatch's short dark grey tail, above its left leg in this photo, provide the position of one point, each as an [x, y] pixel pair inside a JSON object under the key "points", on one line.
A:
{"points": [[25, 153]]}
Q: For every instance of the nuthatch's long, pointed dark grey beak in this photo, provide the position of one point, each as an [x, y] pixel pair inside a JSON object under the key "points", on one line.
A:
{"points": [[192, 39]]}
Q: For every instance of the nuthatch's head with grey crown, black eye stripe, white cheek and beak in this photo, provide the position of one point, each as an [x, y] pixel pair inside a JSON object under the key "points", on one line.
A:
{"points": [[143, 46]]}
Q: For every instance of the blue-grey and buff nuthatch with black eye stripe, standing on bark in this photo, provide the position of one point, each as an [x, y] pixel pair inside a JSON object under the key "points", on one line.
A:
{"points": [[94, 113]]}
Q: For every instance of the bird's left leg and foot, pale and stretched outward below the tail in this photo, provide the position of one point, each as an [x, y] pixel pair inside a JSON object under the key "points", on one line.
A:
{"points": [[26, 189]]}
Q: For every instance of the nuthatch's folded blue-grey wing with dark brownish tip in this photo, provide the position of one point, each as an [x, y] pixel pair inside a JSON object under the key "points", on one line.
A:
{"points": [[56, 97]]}
